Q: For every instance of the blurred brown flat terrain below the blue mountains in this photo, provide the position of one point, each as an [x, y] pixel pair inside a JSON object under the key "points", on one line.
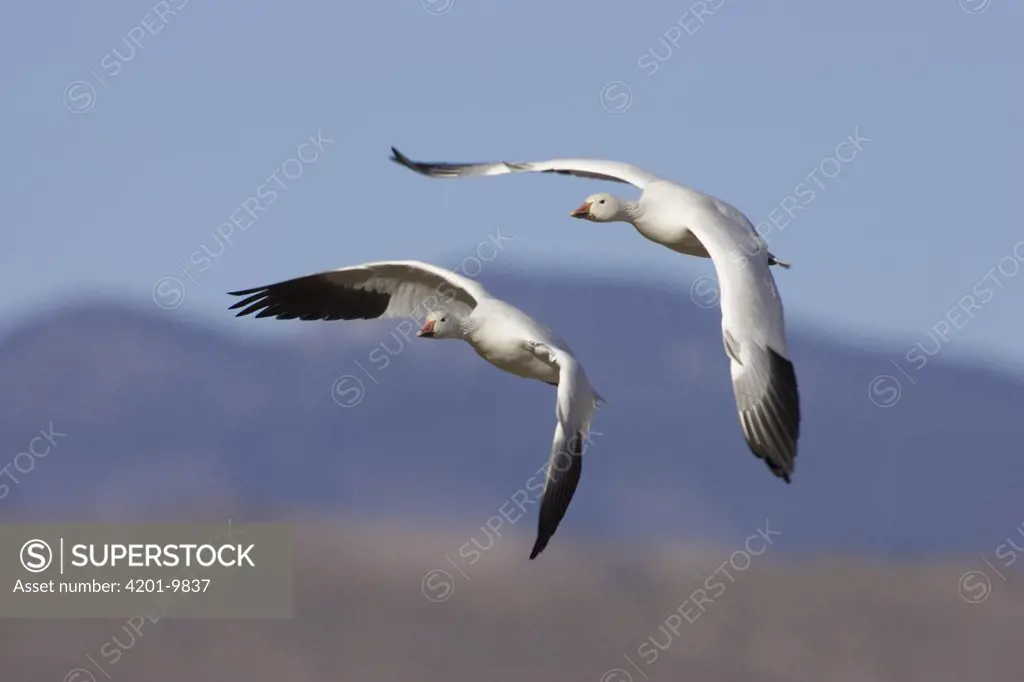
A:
{"points": [[367, 610]]}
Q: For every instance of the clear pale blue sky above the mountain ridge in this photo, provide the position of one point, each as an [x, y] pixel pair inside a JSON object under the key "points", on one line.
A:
{"points": [[121, 165]]}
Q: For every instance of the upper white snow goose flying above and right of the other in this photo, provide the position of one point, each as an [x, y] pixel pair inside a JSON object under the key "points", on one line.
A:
{"points": [[695, 224]]}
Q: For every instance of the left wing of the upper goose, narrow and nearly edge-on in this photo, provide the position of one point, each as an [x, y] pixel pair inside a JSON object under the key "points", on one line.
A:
{"points": [[591, 168]]}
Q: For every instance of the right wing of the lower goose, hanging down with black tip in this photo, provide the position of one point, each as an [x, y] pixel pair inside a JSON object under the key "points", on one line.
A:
{"points": [[574, 409]]}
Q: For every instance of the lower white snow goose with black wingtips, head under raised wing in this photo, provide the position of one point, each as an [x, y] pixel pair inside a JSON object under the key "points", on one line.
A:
{"points": [[454, 308]]}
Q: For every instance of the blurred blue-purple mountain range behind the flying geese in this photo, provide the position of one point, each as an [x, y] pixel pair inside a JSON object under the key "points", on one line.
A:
{"points": [[158, 411]]}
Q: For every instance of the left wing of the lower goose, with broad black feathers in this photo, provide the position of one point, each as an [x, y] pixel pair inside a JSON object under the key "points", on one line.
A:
{"points": [[386, 289]]}
